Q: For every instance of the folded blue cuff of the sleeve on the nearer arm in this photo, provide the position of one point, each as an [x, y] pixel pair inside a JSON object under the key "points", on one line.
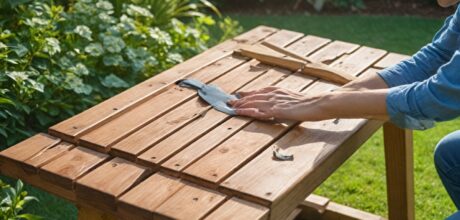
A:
{"points": [[400, 112]]}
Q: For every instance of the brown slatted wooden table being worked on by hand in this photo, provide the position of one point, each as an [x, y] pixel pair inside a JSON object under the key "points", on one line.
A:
{"points": [[158, 151]]}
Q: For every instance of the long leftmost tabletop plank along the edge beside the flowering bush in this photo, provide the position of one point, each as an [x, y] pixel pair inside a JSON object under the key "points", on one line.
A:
{"points": [[75, 126]]}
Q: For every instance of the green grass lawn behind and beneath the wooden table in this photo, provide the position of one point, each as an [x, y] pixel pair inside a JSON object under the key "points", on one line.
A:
{"points": [[360, 183]]}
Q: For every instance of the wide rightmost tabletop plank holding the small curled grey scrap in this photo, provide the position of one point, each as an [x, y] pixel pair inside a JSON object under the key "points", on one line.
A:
{"points": [[267, 181]]}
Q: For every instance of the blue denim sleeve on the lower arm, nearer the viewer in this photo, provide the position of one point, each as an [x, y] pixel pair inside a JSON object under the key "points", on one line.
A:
{"points": [[420, 104]]}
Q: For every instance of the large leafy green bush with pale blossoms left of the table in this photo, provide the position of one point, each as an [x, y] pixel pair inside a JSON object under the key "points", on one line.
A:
{"points": [[56, 62]]}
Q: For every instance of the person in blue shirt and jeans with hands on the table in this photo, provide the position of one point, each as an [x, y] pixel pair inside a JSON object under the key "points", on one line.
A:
{"points": [[413, 94]]}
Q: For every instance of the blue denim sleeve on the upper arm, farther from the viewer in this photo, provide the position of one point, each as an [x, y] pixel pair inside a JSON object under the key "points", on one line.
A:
{"points": [[427, 60]]}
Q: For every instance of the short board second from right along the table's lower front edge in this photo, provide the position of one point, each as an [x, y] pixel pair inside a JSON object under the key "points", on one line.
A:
{"points": [[190, 202]]}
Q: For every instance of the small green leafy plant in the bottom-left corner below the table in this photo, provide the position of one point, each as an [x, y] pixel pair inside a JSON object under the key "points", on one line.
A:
{"points": [[13, 200]]}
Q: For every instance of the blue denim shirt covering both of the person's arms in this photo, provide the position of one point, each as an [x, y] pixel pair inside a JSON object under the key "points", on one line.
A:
{"points": [[426, 87]]}
